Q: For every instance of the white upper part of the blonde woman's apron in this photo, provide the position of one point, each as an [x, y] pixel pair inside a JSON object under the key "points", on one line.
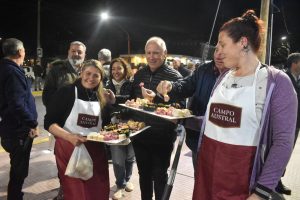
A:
{"points": [[85, 117]]}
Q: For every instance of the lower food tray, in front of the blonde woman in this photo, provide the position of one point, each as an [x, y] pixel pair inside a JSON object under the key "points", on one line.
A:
{"points": [[117, 133]]}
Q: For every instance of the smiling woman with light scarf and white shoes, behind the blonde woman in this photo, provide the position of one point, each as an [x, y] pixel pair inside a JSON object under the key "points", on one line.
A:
{"points": [[122, 155]]}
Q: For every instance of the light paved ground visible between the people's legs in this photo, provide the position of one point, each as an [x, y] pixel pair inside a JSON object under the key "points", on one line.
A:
{"points": [[42, 182]]}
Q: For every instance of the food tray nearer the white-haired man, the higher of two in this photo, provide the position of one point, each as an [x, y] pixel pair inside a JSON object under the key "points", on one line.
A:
{"points": [[165, 111]]}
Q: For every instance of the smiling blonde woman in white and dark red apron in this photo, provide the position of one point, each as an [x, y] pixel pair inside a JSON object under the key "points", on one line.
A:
{"points": [[75, 111]]}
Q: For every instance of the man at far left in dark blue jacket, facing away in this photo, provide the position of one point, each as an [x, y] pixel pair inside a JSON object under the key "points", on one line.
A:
{"points": [[18, 116]]}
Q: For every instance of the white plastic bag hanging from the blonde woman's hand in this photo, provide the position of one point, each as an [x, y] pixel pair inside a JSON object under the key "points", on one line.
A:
{"points": [[80, 164]]}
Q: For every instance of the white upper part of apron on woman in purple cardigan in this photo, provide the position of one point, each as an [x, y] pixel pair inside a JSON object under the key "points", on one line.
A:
{"points": [[232, 111]]}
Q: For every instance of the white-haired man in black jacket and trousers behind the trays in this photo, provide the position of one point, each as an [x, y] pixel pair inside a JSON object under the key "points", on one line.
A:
{"points": [[153, 147]]}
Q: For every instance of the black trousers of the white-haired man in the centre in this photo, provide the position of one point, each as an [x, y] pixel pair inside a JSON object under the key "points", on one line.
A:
{"points": [[153, 161]]}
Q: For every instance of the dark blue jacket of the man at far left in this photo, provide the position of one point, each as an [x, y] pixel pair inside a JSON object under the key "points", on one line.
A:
{"points": [[17, 105]]}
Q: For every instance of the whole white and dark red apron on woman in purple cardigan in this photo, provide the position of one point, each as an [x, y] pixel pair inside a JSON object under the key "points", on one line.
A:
{"points": [[228, 147]]}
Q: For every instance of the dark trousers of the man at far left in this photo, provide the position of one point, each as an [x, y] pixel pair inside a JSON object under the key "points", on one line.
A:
{"points": [[19, 153]]}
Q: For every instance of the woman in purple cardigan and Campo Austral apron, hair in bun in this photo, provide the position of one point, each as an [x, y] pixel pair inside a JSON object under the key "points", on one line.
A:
{"points": [[245, 146]]}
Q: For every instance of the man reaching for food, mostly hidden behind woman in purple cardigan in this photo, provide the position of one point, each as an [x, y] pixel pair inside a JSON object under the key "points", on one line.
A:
{"points": [[198, 87]]}
